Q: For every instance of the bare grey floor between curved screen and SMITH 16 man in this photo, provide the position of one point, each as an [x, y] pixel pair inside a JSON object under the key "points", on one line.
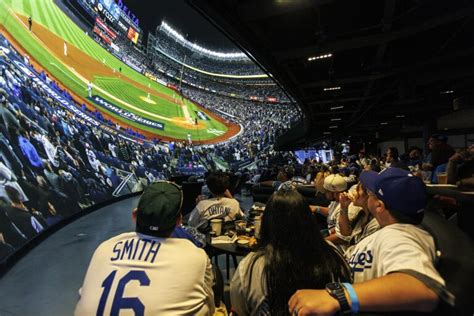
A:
{"points": [[45, 281]]}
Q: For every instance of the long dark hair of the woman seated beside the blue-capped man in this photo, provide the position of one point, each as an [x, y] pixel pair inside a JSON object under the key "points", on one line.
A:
{"points": [[296, 254]]}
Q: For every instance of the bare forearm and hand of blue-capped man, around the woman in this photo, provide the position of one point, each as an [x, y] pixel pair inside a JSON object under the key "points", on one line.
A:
{"points": [[393, 292]]}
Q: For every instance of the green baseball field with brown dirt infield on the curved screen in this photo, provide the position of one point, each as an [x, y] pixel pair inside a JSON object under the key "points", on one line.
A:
{"points": [[86, 61]]}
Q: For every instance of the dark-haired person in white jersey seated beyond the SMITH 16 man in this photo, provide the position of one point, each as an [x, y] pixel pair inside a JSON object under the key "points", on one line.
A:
{"points": [[221, 205]]}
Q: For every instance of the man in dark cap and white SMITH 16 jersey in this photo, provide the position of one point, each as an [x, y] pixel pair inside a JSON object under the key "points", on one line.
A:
{"points": [[145, 272]]}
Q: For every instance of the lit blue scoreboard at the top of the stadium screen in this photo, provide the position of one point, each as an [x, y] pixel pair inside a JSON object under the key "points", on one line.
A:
{"points": [[117, 16]]}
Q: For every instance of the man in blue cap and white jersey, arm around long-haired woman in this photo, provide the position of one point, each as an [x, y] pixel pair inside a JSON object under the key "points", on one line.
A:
{"points": [[393, 268]]}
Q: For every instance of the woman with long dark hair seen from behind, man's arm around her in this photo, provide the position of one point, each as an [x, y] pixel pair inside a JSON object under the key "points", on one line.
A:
{"points": [[292, 255]]}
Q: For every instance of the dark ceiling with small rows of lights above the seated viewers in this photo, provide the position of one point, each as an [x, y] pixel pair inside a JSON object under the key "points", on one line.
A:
{"points": [[392, 59]]}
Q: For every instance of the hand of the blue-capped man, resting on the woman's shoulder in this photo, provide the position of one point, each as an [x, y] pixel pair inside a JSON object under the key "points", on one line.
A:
{"points": [[312, 302]]}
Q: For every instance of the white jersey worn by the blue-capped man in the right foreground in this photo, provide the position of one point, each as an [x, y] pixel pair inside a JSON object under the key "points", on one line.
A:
{"points": [[394, 248]]}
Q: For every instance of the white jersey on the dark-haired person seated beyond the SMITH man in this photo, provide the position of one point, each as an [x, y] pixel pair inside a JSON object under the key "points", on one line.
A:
{"points": [[224, 208]]}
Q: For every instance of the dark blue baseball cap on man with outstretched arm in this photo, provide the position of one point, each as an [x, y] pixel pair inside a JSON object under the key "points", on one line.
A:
{"points": [[398, 189]]}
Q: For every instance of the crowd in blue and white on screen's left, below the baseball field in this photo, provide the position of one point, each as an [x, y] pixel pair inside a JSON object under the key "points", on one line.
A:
{"points": [[53, 163]]}
